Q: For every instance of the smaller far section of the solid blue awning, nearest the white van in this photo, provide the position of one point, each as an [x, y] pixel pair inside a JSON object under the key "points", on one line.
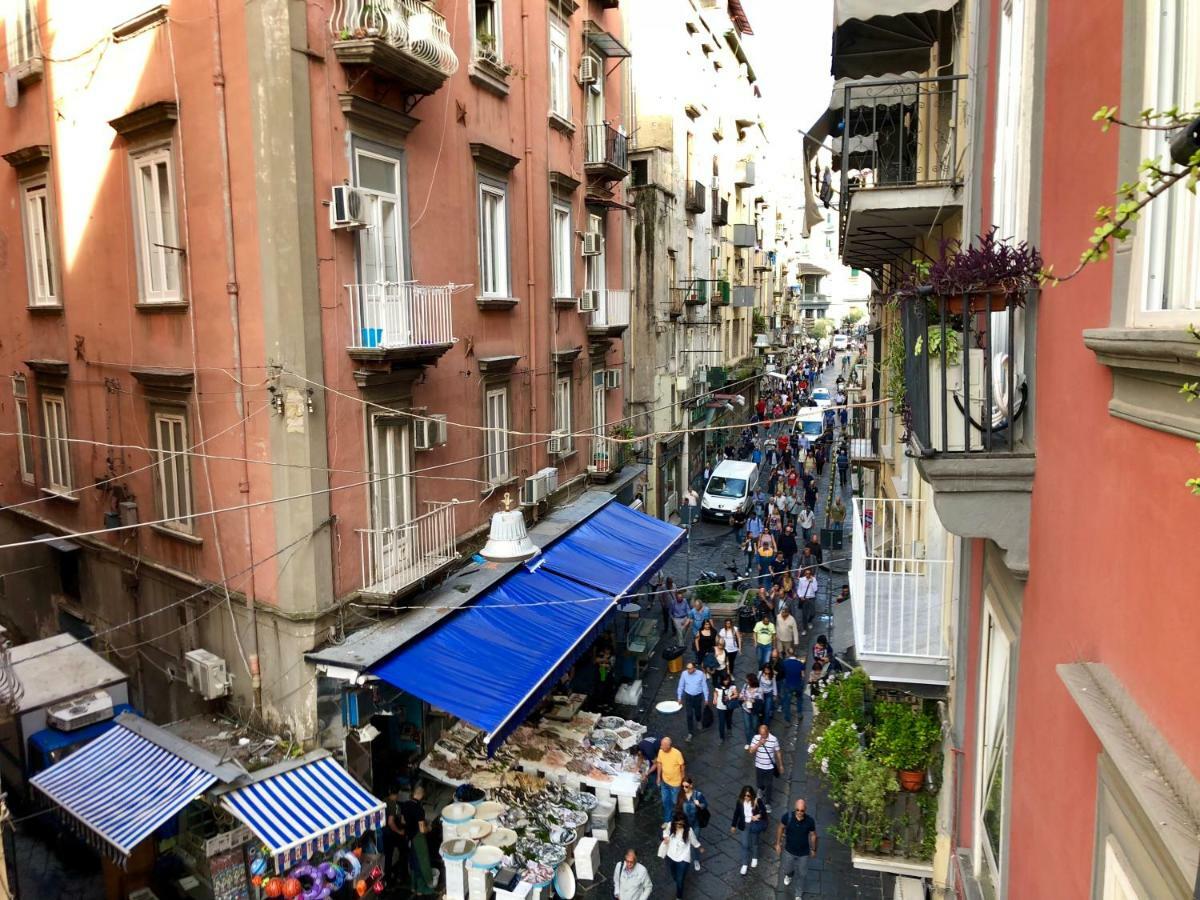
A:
{"points": [[616, 551]]}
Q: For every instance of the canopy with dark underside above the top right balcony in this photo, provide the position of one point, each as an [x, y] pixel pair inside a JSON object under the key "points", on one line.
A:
{"points": [[875, 38]]}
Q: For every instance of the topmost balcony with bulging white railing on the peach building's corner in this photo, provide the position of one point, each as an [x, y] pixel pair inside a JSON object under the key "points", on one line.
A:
{"points": [[403, 41]]}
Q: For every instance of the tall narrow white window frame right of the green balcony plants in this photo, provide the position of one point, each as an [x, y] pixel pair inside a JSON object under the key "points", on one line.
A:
{"points": [[992, 737]]}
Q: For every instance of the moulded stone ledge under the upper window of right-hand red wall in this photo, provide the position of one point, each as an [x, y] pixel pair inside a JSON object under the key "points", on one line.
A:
{"points": [[1149, 365]]}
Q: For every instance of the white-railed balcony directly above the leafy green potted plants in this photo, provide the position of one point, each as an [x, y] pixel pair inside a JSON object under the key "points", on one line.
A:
{"points": [[898, 592]]}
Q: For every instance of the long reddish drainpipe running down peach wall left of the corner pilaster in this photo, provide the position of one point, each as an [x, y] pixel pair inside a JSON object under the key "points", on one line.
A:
{"points": [[256, 677]]}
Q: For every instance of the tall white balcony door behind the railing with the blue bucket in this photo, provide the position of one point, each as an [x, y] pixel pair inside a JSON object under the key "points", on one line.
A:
{"points": [[382, 296]]}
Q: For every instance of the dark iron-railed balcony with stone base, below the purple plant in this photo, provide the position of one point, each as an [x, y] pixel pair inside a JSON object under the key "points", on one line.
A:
{"points": [[967, 411]]}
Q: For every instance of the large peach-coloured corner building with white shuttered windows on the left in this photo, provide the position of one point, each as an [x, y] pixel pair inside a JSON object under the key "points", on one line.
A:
{"points": [[295, 293]]}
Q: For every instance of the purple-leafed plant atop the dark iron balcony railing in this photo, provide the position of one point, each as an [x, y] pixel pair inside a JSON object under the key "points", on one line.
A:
{"points": [[989, 266]]}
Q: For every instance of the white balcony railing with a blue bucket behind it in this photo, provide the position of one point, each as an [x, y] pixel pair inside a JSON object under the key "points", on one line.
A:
{"points": [[392, 316]]}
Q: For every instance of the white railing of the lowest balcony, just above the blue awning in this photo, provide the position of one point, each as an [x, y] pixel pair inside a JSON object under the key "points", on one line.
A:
{"points": [[395, 559]]}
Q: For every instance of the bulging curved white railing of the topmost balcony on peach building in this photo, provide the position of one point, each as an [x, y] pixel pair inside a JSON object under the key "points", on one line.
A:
{"points": [[410, 26]]}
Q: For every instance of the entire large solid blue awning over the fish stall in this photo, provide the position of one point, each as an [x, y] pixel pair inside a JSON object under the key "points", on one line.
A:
{"points": [[493, 663]]}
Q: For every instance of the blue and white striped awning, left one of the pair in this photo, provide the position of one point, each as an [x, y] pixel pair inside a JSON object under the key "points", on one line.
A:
{"points": [[121, 788]]}
